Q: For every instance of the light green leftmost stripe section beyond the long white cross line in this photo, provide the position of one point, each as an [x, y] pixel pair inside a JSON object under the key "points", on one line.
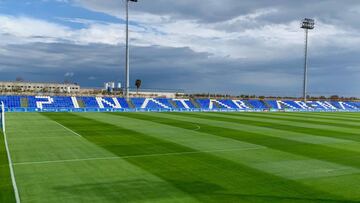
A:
{"points": [[45, 140]]}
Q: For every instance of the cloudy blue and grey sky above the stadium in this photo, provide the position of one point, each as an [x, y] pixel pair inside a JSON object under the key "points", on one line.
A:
{"points": [[228, 46]]}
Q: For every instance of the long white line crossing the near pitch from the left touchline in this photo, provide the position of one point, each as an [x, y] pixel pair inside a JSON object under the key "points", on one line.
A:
{"points": [[138, 156]]}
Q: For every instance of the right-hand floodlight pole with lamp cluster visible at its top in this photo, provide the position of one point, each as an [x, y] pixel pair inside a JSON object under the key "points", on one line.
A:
{"points": [[307, 24]]}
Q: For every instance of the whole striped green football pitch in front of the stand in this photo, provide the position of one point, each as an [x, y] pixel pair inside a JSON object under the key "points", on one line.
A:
{"points": [[182, 157]]}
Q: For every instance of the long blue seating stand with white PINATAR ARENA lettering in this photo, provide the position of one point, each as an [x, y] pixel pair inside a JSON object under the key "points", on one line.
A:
{"points": [[67, 103]]}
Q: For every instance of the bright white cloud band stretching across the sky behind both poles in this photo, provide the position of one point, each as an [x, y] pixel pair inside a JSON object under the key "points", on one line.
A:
{"points": [[243, 37]]}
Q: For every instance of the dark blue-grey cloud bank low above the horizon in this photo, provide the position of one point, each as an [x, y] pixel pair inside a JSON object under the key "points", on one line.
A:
{"points": [[175, 68]]}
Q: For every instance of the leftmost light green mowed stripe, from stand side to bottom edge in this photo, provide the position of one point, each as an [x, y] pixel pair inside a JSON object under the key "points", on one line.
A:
{"points": [[86, 181]]}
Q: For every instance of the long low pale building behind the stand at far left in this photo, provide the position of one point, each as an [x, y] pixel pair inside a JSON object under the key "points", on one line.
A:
{"points": [[38, 87]]}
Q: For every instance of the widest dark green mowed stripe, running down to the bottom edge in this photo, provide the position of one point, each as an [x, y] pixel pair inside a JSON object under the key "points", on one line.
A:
{"points": [[203, 176]]}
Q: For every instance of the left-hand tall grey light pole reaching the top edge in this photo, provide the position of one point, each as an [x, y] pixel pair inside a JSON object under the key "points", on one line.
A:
{"points": [[127, 54]]}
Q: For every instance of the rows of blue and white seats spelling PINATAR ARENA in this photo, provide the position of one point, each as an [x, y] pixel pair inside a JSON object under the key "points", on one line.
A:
{"points": [[60, 102]]}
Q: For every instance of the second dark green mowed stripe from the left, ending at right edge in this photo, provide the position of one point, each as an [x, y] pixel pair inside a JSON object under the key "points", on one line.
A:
{"points": [[343, 157]]}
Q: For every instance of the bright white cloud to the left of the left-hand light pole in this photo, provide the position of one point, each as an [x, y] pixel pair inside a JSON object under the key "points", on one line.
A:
{"points": [[13, 32]]}
